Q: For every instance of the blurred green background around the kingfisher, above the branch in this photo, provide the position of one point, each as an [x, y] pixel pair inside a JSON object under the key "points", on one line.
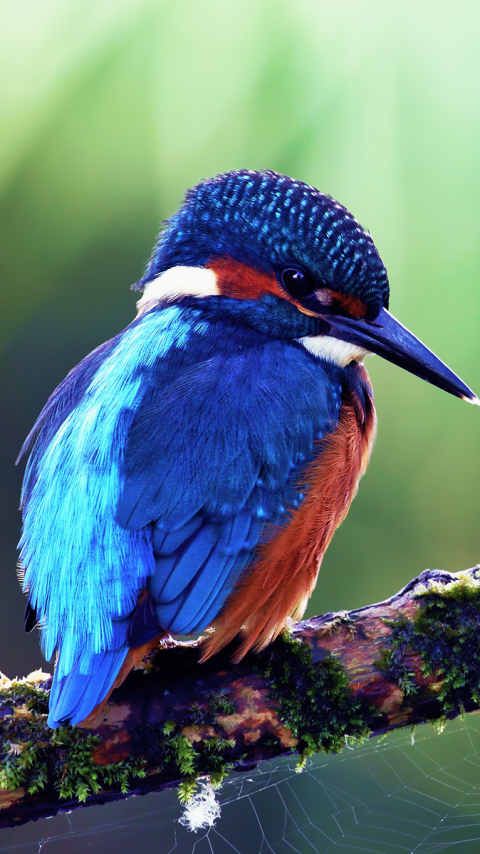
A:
{"points": [[110, 109]]}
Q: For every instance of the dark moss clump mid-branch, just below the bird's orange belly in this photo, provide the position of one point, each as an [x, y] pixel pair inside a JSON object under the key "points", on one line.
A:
{"points": [[315, 700]]}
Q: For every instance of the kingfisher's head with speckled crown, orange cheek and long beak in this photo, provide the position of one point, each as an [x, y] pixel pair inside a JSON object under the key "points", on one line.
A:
{"points": [[250, 235]]}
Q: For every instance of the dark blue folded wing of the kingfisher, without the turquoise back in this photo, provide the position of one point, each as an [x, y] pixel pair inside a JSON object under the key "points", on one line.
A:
{"points": [[212, 463]]}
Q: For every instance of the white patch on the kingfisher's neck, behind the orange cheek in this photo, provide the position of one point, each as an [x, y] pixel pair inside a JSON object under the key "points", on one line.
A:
{"points": [[178, 282]]}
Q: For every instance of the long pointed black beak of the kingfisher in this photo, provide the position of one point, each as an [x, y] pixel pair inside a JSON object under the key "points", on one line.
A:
{"points": [[388, 338]]}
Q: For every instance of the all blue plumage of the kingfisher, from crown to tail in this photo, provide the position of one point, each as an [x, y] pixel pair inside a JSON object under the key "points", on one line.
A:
{"points": [[168, 457]]}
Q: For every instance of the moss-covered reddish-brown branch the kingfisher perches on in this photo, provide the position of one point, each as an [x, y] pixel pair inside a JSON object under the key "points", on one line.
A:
{"points": [[325, 683]]}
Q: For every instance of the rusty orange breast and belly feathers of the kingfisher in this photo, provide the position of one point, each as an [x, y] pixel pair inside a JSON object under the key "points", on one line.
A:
{"points": [[282, 579]]}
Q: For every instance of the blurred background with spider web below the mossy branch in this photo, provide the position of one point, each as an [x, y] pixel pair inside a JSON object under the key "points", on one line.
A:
{"points": [[401, 795]]}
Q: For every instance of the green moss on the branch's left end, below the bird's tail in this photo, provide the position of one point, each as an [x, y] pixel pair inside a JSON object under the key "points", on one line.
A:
{"points": [[36, 757]]}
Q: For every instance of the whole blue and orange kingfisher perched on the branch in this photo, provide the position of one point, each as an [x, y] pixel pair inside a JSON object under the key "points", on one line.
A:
{"points": [[190, 473]]}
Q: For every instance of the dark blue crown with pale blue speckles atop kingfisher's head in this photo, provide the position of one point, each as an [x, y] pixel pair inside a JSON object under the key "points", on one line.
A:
{"points": [[271, 221]]}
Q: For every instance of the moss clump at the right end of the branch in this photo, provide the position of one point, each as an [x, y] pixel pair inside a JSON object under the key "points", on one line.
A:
{"points": [[444, 633]]}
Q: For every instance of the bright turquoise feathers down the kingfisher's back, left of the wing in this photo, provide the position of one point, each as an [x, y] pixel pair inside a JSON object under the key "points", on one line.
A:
{"points": [[82, 570]]}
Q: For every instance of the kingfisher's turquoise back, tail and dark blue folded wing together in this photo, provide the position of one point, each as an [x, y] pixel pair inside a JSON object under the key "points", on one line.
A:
{"points": [[160, 462]]}
